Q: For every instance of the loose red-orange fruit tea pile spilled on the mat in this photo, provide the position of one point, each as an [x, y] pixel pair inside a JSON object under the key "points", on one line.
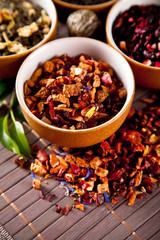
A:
{"points": [[125, 165]]}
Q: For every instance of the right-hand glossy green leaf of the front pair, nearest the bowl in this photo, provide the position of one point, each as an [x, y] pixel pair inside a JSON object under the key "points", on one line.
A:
{"points": [[17, 133]]}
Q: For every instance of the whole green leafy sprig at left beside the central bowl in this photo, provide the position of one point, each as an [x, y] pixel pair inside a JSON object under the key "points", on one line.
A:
{"points": [[13, 139]]}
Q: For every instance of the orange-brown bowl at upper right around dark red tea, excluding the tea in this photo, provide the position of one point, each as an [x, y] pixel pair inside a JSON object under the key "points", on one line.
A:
{"points": [[145, 76]]}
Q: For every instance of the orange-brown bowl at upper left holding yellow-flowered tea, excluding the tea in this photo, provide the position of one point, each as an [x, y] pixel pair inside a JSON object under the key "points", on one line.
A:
{"points": [[10, 64]]}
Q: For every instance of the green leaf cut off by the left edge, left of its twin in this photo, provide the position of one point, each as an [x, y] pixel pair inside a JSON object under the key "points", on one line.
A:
{"points": [[5, 139]]}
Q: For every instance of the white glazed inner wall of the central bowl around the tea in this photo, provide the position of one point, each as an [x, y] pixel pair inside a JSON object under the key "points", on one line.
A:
{"points": [[74, 46]]}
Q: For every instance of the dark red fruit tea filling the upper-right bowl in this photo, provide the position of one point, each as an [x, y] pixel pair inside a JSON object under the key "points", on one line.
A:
{"points": [[136, 32]]}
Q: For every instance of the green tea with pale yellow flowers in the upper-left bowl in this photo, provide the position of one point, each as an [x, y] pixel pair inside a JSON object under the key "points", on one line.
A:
{"points": [[22, 26]]}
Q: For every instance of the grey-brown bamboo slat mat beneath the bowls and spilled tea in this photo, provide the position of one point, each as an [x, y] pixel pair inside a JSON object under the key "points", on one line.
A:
{"points": [[25, 216]]}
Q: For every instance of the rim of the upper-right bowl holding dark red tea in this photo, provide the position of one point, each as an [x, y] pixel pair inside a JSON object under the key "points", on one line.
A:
{"points": [[109, 35]]}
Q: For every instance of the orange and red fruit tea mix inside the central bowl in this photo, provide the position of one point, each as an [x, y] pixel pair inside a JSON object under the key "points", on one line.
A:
{"points": [[74, 93]]}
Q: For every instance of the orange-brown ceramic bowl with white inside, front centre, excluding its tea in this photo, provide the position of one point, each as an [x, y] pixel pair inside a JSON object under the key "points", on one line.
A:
{"points": [[74, 46]]}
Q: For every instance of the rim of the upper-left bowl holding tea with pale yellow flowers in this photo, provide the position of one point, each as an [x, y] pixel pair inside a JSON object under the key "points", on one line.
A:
{"points": [[45, 39]]}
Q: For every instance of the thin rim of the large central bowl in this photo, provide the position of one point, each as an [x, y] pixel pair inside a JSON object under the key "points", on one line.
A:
{"points": [[76, 131]]}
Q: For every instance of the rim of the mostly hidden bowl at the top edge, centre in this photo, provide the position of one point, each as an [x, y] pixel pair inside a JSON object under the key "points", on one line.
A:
{"points": [[78, 6]]}
